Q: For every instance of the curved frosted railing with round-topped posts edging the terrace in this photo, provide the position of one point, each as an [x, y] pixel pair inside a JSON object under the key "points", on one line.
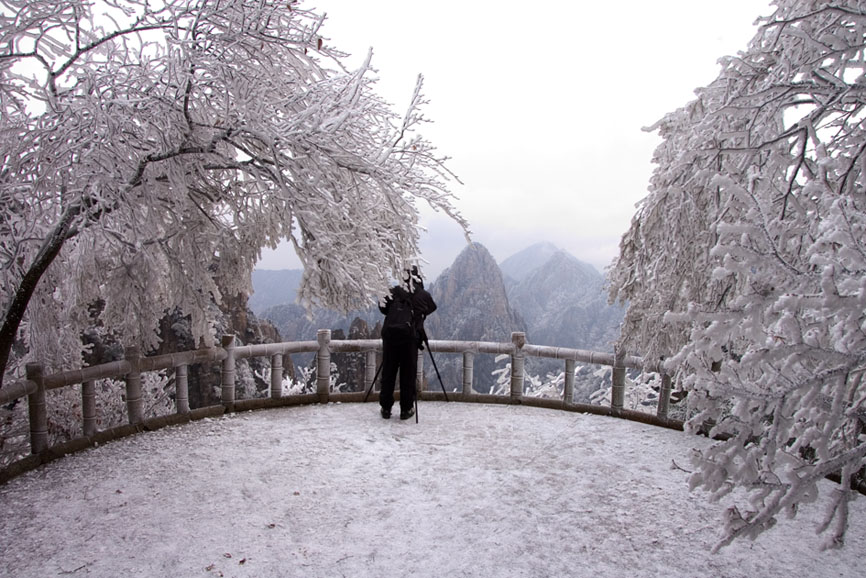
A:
{"points": [[131, 368]]}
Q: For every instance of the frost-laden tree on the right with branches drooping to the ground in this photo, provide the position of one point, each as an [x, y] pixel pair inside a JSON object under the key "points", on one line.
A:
{"points": [[745, 266]]}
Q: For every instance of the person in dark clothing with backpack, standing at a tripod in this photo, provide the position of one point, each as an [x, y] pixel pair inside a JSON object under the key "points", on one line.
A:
{"points": [[403, 335]]}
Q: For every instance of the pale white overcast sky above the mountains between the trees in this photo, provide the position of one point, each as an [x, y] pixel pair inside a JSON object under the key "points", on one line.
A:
{"points": [[540, 108]]}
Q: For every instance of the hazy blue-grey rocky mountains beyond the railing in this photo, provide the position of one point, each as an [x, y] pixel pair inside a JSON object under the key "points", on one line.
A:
{"points": [[549, 294]]}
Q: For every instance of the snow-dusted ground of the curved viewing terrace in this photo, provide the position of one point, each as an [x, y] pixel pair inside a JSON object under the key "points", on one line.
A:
{"points": [[334, 490]]}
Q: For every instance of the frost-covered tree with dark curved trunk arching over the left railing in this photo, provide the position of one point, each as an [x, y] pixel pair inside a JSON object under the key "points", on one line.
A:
{"points": [[151, 149]]}
